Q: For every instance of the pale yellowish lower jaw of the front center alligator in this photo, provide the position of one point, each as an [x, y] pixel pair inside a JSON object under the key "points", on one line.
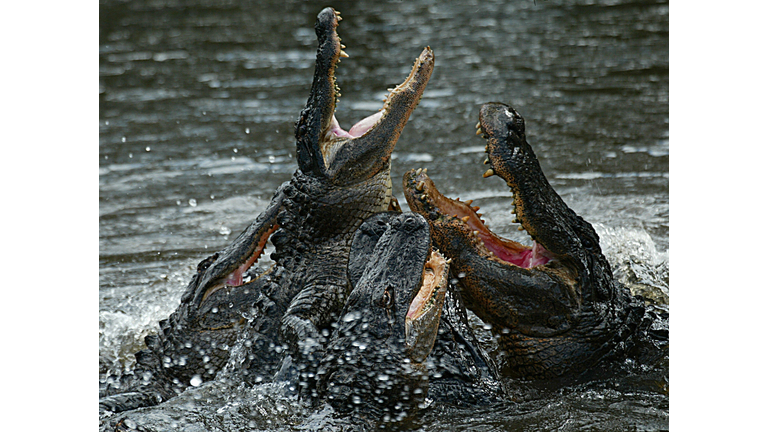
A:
{"points": [[423, 317]]}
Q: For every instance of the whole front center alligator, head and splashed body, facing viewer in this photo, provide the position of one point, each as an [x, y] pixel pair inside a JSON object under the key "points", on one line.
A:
{"points": [[403, 337]]}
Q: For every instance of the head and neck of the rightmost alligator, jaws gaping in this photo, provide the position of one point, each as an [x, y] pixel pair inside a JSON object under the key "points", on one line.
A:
{"points": [[555, 306]]}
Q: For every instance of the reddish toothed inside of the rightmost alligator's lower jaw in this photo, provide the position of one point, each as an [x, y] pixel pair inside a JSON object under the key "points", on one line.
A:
{"points": [[423, 197]]}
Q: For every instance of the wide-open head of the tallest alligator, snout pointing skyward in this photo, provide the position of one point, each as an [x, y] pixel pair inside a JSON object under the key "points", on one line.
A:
{"points": [[327, 150]]}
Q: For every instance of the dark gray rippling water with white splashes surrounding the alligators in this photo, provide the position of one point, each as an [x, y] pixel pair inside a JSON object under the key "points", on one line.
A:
{"points": [[197, 105]]}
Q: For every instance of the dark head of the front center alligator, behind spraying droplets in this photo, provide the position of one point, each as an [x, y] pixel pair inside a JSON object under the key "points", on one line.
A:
{"points": [[373, 363]]}
